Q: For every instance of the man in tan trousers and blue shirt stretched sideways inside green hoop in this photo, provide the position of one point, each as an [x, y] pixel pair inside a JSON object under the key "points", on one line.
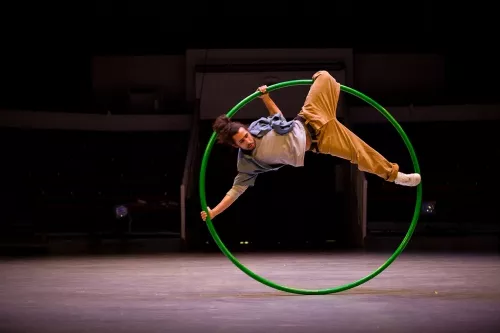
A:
{"points": [[272, 142]]}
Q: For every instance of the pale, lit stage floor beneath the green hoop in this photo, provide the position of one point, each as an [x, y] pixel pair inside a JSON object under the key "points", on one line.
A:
{"points": [[207, 293]]}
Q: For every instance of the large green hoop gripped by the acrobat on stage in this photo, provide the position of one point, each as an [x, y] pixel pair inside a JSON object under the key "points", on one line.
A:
{"points": [[271, 284]]}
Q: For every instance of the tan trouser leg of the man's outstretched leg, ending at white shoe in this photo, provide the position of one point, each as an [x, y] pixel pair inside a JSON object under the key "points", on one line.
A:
{"points": [[337, 140]]}
